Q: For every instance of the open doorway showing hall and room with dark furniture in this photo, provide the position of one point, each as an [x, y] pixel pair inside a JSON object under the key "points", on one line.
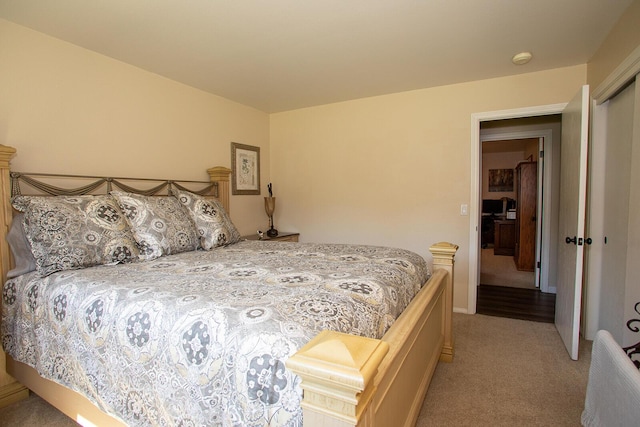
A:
{"points": [[515, 217]]}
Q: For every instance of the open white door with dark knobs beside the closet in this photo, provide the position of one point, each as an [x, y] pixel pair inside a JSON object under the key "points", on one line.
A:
{"points": [[573, 191]]}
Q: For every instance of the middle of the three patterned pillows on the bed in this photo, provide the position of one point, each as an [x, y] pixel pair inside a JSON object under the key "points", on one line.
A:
{"points": [[160, 225]]}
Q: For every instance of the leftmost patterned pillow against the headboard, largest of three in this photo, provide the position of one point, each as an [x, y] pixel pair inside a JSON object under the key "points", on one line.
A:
{"points": [[71, 232]]}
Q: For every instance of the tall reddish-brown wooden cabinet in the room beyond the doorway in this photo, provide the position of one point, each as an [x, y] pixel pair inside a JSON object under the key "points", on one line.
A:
{"points": [[526, 181]]}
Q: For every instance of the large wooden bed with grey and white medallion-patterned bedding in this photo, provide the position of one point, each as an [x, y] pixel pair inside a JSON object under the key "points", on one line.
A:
{"points": [[241, 333]]}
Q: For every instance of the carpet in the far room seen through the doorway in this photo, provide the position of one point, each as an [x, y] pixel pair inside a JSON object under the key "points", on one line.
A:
{"points": [[500, 270]]}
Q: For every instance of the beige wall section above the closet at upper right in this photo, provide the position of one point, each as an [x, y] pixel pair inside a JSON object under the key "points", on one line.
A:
{"points": [[621, 41]]}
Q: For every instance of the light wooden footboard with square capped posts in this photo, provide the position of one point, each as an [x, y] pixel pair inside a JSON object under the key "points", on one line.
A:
{"points": [[355, 381]]}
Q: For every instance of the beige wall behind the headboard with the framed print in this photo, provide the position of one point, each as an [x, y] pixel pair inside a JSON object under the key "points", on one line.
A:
{"points": [[70, 110]]}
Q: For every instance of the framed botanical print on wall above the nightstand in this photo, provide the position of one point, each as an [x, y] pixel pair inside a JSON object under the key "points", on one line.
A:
{"points": [[245, 169]]}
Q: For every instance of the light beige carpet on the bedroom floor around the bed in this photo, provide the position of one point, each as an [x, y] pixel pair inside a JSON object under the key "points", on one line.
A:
{"points": [[506, 372]]}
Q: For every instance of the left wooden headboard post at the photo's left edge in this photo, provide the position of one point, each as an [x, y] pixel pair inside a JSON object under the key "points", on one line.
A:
{"points": [[10, 390]]}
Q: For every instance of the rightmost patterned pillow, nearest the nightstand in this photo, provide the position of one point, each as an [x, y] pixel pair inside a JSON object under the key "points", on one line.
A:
{"points": [[213, 224]]}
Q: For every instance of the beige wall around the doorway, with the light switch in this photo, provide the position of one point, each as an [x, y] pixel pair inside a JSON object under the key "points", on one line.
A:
{"points": [[394, 169]]}
